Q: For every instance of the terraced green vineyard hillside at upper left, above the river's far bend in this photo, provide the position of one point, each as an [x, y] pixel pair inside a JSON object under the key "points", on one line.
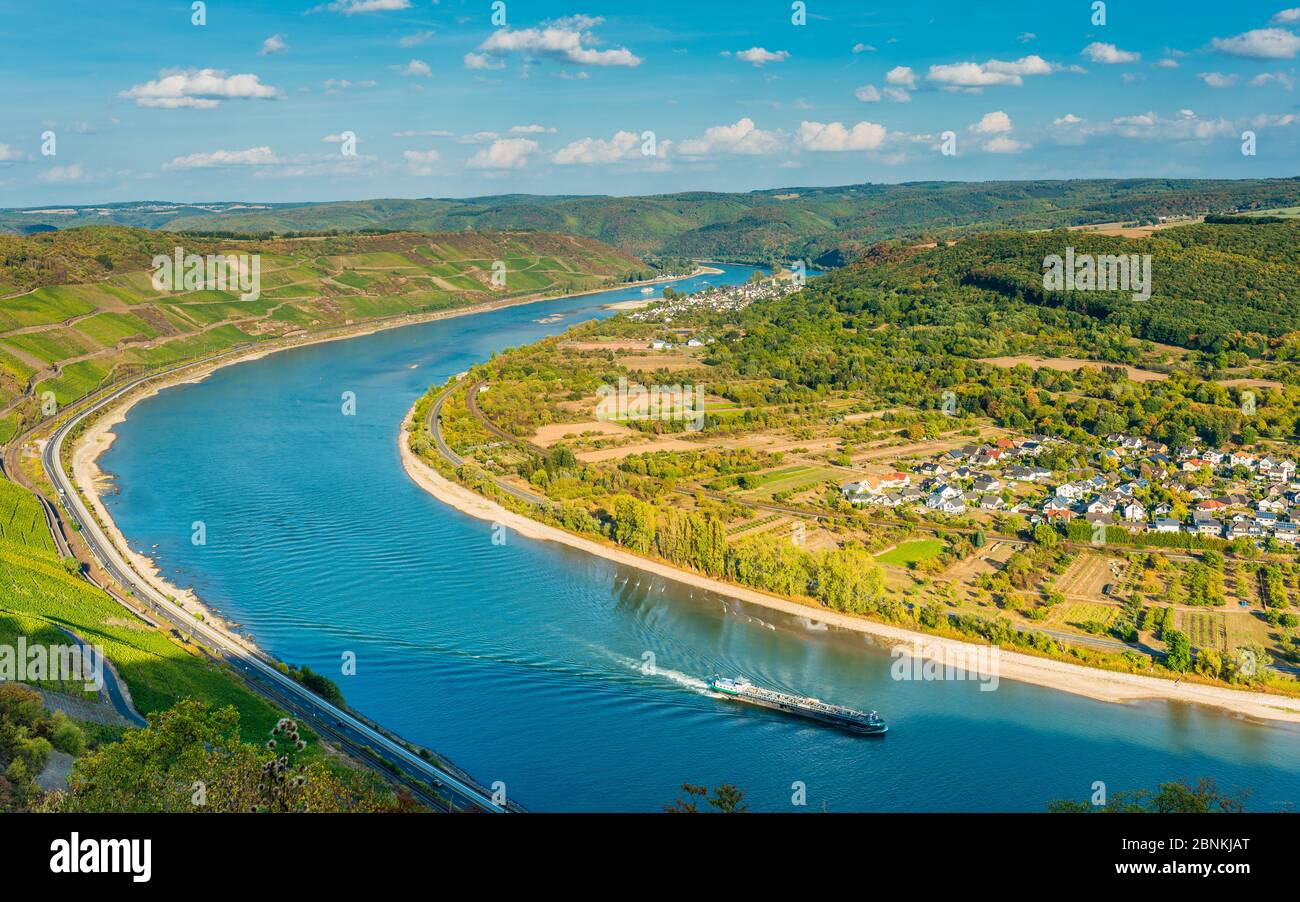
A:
{"points": [[81, 310]]}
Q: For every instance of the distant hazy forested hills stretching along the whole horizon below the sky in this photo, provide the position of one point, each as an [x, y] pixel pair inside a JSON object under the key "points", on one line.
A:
{"points": [[827, 225]]}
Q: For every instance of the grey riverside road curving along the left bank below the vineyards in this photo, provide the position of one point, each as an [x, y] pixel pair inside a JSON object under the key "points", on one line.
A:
{"points": [[328, 719]]}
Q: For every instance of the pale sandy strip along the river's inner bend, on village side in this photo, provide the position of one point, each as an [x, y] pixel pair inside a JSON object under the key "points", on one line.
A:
{"points": [[1091, 683]]}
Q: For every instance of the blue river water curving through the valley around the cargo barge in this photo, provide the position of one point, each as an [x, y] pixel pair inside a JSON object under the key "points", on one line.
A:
{"points": [[523, 662]]}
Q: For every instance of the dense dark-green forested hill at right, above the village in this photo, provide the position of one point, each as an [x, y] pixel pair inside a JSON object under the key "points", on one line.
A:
{"points": [[1215, 288]]}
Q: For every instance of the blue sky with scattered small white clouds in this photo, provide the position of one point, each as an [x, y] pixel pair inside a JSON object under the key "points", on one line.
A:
{"points": [[145, 105]]}
